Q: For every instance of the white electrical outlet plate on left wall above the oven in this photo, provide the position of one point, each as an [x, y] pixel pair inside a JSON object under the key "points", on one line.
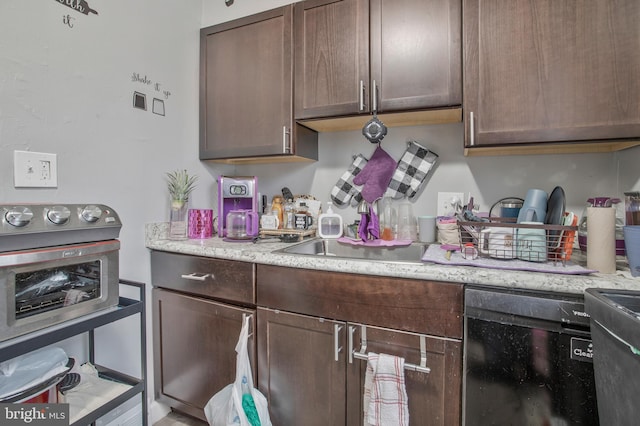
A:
{"points": [[35, 170]]}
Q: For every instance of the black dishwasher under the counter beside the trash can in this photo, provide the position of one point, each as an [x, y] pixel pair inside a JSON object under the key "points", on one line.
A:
{"points": [[527, 359]]}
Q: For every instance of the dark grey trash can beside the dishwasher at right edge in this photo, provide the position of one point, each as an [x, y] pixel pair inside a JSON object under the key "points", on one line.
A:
{"points": [[615, 332]]}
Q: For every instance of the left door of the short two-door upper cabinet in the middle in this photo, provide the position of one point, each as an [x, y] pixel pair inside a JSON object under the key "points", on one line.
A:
{"points": [[331, 57]]}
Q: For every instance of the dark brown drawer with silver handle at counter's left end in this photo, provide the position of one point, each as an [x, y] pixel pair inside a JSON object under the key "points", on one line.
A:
{"points": [[204, 276]]}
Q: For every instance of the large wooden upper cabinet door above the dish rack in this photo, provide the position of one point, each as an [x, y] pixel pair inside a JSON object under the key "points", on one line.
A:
{"points": [[547, 70]]}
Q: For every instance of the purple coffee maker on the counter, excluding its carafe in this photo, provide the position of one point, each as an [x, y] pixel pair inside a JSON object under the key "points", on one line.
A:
{"points": [[235, 193]]}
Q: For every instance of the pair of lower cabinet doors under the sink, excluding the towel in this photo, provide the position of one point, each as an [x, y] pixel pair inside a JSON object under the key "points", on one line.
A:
{"points": [[311, 375]]}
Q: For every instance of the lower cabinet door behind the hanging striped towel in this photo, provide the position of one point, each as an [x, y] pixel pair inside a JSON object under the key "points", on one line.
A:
{"points": [[434, 398]]}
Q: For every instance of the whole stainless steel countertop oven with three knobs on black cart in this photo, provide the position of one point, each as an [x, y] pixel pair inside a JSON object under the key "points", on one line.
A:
{"points": [[57, 262]]}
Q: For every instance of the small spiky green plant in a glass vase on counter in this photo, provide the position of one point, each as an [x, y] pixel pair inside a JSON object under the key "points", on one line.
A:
{"points": [[180, 186]]}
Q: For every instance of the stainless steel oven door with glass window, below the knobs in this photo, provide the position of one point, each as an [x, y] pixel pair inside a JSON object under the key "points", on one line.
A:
{"points": [[44, 287]]}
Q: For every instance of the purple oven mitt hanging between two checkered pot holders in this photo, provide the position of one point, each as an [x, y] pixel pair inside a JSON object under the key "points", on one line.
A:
{"points": [[376, 175]]}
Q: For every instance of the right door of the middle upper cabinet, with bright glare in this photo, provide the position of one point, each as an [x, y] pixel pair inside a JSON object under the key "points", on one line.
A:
{"points": [[416, 53]]}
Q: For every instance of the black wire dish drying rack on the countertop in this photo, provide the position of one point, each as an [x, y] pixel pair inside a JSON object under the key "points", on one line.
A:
{"points": [[501, 238]]}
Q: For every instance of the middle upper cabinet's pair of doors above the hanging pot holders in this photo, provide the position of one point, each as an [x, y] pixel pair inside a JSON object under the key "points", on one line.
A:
{"points": [[357, 56]]}
